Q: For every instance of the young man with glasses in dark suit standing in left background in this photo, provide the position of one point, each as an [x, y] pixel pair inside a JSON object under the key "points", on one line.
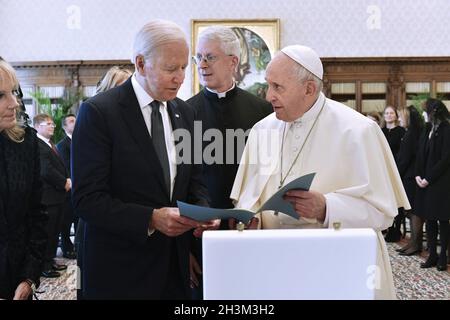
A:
{"points": [[56, 184]]}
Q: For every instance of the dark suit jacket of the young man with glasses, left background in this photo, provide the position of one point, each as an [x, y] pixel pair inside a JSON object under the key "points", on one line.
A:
{"points": [[53, 174]]}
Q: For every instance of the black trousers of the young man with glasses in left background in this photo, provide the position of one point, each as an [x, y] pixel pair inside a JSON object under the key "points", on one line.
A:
{"points": [[55, 215]]}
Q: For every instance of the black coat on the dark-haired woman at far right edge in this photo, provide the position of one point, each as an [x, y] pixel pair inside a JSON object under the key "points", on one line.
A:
{"points": [[433, 164]]}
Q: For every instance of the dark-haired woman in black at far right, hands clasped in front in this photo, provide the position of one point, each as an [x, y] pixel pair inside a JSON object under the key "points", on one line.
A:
{"points": [[433, 180]]}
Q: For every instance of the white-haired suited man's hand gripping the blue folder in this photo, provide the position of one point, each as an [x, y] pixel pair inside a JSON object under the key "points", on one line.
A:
{"points": [[169, 222]]}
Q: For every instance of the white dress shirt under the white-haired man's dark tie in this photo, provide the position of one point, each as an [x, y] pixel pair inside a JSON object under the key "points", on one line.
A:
{"points": [[144, 100]]}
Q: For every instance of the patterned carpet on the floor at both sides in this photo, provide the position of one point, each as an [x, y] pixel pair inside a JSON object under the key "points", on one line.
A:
{"points": [[411, 282]]}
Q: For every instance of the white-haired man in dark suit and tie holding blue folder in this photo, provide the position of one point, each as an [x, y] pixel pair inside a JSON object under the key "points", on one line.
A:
{"points": [[127, 179]]}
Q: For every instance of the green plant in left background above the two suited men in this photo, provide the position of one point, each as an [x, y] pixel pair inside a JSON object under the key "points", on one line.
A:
{"points": [[59, 109]]}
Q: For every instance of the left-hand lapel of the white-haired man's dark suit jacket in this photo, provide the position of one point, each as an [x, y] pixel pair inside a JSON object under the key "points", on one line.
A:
{"points": [[132, 115]]}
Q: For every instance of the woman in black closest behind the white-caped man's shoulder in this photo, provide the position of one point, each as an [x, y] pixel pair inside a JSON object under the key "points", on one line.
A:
{"points": [[394, 134]]}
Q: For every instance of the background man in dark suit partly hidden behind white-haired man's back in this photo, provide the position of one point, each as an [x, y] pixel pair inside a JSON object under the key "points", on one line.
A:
{"points": [[63, 146]]}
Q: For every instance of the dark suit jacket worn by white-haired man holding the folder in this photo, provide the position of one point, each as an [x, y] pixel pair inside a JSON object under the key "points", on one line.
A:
{"points": [[117, 182]]}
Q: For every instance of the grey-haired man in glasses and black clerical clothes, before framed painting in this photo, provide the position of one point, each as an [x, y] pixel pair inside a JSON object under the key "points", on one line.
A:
{"points": [[221, 105]]}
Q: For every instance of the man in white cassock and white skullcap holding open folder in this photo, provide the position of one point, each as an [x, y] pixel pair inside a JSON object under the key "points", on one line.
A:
{"points": [[356, 182]]}
